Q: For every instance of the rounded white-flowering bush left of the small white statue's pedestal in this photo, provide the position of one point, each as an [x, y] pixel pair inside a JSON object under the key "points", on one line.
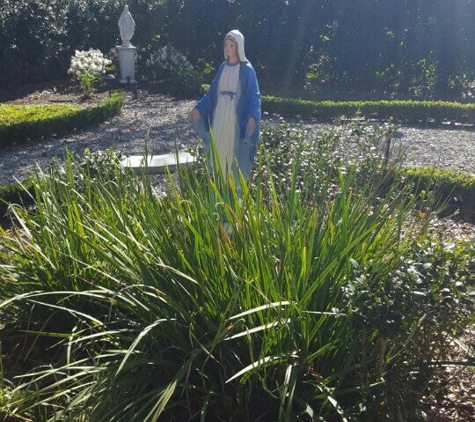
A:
{"points": [[86, 67]]}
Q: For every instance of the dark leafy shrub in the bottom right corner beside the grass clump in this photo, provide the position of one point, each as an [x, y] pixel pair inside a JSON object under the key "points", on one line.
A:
{"points": [[430, 286]]}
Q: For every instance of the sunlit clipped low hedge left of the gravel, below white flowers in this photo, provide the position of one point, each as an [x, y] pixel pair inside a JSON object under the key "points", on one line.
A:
{"points": [[36, 122]]}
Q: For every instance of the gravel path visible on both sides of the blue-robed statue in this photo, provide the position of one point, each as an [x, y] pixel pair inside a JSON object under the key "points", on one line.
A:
{"points": [[163, 120]]}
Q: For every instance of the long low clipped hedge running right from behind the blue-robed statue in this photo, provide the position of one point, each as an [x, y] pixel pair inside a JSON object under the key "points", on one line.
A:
{"points": [[398, 111]]}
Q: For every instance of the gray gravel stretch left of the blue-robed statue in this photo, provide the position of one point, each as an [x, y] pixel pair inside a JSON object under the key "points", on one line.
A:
{"points": [[160, 119]]}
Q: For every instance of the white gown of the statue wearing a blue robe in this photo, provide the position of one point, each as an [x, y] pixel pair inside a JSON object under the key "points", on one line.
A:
{"points": [[225, 124]]}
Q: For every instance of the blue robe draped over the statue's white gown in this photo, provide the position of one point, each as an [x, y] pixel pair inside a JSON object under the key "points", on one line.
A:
{"points": [[249, 105]]}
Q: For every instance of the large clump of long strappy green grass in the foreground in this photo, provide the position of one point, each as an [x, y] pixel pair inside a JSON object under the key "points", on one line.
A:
{"points": [[206, 304]]}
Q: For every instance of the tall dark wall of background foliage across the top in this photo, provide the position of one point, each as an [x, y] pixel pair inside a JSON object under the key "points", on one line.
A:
{"points": [[362, 48]]}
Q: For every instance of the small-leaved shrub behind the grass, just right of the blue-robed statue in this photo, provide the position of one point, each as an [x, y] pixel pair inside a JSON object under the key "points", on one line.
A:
{"points": [[322, 156]]}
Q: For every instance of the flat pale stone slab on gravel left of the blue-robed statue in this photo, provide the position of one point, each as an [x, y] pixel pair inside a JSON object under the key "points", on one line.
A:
{"points": [[158, 163]]}
